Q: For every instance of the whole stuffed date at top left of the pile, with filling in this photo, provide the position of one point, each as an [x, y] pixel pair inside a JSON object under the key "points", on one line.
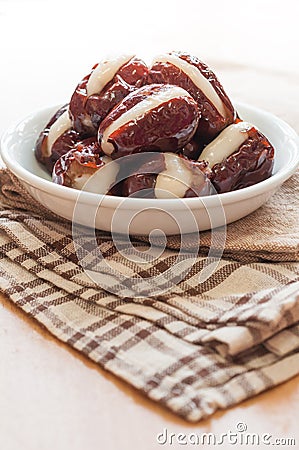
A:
{"points": [[107, 84]]}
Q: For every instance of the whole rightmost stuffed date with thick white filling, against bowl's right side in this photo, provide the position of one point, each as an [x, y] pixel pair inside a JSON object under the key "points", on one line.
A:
{"points": [[239, 157]]}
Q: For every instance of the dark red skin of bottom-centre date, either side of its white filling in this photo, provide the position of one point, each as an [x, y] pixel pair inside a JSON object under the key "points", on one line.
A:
{"points": [[142, 183]]}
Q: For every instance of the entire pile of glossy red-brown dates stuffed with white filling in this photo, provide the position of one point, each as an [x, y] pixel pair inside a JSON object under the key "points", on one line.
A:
{"points": [[163, 131]]}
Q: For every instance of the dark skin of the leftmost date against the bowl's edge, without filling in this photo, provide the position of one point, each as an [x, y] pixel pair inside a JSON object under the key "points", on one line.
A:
{"points": [[62, 145]]}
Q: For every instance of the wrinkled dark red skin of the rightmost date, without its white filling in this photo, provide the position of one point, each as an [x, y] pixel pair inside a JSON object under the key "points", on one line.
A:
{"points": [[250, 164]]}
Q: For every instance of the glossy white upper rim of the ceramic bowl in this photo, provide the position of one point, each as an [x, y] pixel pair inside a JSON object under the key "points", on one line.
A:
{"points": [[135, 203]]}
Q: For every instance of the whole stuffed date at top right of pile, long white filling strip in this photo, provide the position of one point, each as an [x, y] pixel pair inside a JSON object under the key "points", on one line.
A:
{"points": [[188, 72]]}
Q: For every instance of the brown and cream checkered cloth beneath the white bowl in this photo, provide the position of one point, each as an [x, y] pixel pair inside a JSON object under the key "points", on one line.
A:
{"points": [[198, 347]]}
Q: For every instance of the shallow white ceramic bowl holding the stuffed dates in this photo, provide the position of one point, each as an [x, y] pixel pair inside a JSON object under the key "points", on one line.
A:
{"points": [[142, 216]]}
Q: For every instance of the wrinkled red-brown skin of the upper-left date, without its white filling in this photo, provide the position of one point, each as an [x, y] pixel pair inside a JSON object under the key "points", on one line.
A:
{"points": [[87, 112]]}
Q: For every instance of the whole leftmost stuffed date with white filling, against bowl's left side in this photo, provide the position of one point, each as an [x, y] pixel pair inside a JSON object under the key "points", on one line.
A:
{"points": [[56, 139]]}
